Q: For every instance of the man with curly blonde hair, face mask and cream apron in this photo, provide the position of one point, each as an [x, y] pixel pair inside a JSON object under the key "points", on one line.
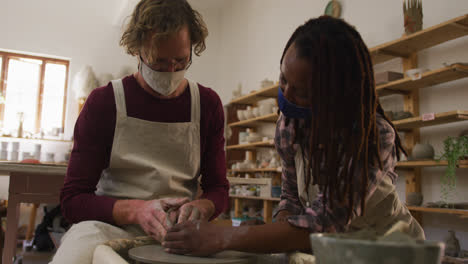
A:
{"points": [[142, 143]]}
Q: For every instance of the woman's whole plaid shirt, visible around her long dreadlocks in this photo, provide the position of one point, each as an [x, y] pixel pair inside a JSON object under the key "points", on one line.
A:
{"points": [[314, 217]]}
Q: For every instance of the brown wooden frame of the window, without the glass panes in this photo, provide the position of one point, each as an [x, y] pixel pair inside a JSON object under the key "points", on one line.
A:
{"points": [[6, 56]]}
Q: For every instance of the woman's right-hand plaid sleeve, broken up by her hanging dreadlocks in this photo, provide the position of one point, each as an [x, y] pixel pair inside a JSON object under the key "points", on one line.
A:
{"points": [[318, 218]]}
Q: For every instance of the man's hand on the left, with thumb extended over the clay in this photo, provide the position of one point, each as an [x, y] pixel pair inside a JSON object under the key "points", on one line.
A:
{"points": [[152, 216]]}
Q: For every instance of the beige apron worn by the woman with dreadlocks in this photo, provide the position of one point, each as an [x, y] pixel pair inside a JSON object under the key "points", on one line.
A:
{"points": [[383, 207]]}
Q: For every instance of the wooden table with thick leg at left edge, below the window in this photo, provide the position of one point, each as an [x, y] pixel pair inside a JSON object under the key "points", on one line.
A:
{"points": [[29, 183]]}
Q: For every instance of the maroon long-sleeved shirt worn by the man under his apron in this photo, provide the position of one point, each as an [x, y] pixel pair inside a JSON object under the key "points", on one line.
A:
{"points": [[94, 134]]}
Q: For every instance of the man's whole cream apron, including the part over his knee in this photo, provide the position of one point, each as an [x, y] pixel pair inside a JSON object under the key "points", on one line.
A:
{"points": [[149, 160]]}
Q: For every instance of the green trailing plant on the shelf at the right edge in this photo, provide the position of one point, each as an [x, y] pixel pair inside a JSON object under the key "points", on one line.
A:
{"points": [[455, 149]]}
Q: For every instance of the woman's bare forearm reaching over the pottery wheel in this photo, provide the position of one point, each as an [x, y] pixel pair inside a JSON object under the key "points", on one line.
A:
{"points": [[268, 238]]}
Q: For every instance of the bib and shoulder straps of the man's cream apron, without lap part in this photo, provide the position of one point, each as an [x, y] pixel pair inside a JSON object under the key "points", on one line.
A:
{"points": [[153, 160]]}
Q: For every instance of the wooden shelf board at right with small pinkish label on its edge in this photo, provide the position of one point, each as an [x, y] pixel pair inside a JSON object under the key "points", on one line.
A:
{"points": [[441, 118]]}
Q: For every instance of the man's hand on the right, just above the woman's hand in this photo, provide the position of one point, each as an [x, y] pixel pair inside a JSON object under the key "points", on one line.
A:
{"points": [[201, 209]]}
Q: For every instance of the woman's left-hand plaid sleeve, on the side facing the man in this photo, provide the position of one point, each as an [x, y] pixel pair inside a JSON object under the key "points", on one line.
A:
{"points": [[284, 137]]}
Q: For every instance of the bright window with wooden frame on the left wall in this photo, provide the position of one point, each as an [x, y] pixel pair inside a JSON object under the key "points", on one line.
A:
{"points": [[33, 89]]}
